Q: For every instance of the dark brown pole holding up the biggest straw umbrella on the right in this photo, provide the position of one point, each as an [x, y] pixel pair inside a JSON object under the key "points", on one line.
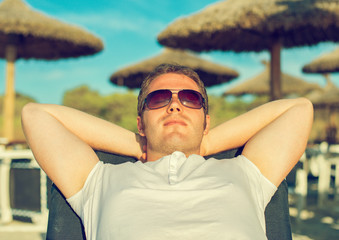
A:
{"points": [[275, 72]]}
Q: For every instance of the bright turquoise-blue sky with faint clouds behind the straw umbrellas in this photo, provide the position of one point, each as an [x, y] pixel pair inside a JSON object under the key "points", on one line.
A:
{"points": [[129, 29]]}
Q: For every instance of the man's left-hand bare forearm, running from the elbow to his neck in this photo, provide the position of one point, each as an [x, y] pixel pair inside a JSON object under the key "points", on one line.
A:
{"points": [[97, 133]]}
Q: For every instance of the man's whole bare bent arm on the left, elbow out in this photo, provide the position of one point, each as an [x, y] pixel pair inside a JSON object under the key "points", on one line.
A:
{"points": [[62, 140]]}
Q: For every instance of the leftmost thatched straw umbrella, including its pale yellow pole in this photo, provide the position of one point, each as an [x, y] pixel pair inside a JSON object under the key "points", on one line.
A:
{"points": [[25, 33]]}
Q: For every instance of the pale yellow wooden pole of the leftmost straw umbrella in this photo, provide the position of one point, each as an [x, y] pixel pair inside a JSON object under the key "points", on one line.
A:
{"points": [[9, 99]]}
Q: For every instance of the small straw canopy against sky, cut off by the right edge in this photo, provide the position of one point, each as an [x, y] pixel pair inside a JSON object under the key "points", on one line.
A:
{"points": [[327, 63]]}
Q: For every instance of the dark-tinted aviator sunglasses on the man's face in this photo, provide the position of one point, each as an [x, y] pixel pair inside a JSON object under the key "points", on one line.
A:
{"points": [[187, 97]]}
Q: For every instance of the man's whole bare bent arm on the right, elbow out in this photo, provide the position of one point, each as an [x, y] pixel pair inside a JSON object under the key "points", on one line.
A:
{"points": [[274, 136]]}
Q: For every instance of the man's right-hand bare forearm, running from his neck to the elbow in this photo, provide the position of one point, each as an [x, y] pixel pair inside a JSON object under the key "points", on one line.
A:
{"points": [[236, 132]]}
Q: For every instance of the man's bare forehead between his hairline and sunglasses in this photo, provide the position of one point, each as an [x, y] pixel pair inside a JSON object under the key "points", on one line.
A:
{"points": [[173, 81]]}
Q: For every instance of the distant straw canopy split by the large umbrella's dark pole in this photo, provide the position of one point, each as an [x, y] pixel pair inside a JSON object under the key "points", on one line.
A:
{"points": [[260, 85]]}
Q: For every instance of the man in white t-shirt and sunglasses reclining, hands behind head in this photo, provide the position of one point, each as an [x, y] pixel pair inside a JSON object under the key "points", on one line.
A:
{"points": [[173, 193]]}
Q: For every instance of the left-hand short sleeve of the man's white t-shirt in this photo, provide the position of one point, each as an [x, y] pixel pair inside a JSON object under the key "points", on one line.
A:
{"points": [[78, 200]]}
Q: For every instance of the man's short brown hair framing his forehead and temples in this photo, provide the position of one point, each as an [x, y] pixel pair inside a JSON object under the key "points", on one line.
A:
{"points": [[170, 68]]}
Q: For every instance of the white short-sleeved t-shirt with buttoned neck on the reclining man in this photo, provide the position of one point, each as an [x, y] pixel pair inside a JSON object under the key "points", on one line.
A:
{"points": [[175, 198]]}
